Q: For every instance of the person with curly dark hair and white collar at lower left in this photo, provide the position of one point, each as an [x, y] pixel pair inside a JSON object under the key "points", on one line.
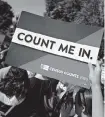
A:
{"points": [[14, 85]]}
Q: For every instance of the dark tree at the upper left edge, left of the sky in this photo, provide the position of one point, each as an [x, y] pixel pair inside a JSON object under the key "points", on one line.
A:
{"points": [[6, 16]]}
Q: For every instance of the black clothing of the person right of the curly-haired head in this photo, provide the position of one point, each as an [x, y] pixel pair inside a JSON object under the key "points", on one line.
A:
{"points": [[34, 102]]}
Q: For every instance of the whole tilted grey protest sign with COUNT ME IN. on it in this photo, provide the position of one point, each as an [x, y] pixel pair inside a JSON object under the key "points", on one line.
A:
{"points": [[55, 49]]}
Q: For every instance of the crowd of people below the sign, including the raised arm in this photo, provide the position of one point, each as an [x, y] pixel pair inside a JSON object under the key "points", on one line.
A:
{"points": [[24, 94]]}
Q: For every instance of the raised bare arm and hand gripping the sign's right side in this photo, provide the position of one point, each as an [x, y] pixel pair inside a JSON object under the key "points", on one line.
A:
{"points": [[97, 99]]}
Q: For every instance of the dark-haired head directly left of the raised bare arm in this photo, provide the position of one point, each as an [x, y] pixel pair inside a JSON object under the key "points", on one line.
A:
{"points": [[84, 103]]}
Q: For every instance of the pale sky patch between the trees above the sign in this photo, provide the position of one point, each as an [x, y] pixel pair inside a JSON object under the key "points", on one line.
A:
{"points": [[33, 6]]}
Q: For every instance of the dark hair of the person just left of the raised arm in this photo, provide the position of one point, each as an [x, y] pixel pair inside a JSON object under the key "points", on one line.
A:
{"points": [[84, 99]]}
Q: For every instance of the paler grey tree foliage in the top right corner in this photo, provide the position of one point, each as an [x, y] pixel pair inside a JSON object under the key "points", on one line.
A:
{"points": [[92, 13]]}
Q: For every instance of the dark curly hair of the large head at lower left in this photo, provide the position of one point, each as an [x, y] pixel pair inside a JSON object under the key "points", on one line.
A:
{"points": [[15, 83]]}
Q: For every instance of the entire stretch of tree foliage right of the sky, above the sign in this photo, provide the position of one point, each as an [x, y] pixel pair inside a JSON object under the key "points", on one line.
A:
{"points": [[89, 12]]}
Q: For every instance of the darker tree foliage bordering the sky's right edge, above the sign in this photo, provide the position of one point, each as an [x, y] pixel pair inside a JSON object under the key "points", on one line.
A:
{"points": [[65, 10]]}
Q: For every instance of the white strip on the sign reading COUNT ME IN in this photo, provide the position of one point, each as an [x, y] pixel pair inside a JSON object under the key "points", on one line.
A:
{"points": [[56, 46]]}
